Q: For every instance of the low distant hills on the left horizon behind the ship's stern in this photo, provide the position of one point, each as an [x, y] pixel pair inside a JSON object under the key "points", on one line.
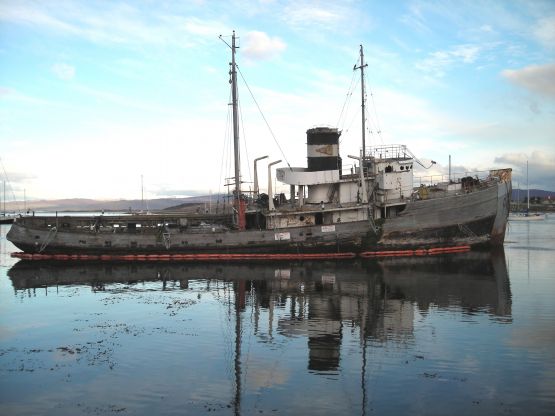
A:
{"points": [[83, 204]]}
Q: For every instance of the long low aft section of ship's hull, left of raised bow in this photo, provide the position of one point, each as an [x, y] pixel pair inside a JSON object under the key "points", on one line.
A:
{"points": [[343, 238]]}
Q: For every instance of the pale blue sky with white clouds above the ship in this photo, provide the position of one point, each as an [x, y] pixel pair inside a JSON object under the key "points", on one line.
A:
{"points": [[111, 99]]}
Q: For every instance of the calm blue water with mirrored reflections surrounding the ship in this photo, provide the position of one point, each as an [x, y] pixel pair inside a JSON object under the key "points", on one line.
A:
{"points": [[458, 334]]}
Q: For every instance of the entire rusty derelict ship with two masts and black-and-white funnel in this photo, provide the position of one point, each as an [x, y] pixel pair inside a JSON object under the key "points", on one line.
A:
{"points": [[372, 205]]}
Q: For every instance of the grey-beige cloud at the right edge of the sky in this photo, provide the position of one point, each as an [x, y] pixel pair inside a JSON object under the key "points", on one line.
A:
{"points": [[535, 78]]}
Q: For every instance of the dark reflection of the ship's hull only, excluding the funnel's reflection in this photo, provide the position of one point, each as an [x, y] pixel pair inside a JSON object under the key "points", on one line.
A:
{"points": [[474, 281]]}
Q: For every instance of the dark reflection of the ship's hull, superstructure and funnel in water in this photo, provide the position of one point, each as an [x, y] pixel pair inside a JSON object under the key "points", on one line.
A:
{"points": [[375, 295]]}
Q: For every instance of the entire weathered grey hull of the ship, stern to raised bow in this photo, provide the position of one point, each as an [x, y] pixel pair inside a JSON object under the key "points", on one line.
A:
{"points": [[475, 218]]}
